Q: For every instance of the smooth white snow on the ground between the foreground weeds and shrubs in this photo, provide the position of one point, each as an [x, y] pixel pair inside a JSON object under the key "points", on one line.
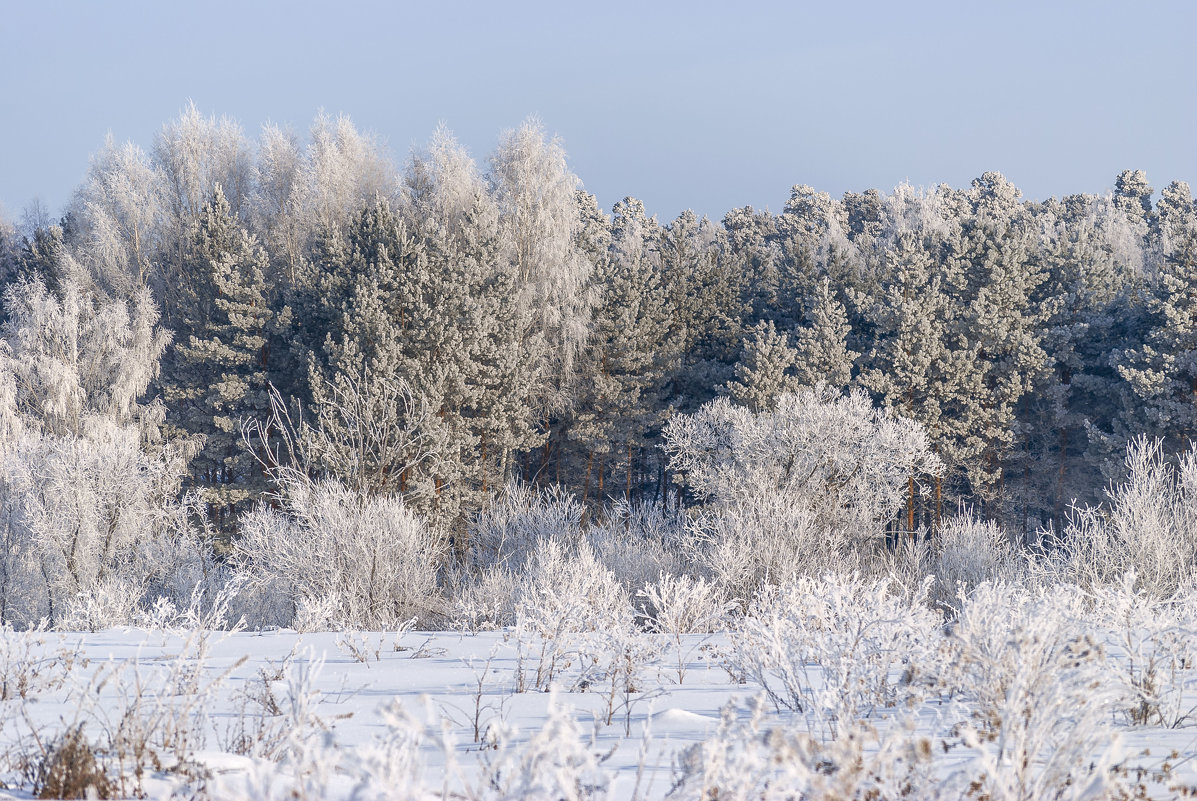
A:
{"points": [[335, 697]]}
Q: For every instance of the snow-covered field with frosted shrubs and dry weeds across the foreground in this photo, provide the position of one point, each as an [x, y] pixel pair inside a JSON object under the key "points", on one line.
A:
{"points": [[825, 691]]}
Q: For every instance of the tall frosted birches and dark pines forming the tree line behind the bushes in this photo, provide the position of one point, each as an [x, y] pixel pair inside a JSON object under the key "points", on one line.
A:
{"points": [[439, 330]]}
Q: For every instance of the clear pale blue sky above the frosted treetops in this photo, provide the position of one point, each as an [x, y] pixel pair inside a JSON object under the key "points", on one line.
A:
{"points": [[691, 105]]}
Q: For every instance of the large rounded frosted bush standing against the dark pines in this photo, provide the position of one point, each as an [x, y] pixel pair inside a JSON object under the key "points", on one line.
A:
{"points": [[823, 472]]}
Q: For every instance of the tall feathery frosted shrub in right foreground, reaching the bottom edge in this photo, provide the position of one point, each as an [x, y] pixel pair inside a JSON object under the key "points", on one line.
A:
{"points": [[1036, 677]]}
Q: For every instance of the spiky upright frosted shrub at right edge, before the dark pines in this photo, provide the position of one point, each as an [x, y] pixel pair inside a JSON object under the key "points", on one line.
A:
{"points": [[1149, 526]]}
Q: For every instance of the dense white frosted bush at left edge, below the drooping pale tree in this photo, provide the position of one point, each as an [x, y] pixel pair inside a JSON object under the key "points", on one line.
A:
{"points": [[87, 514]]}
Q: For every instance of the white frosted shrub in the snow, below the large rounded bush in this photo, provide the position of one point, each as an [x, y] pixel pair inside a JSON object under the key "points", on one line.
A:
{"points": [[837, 648]]}
